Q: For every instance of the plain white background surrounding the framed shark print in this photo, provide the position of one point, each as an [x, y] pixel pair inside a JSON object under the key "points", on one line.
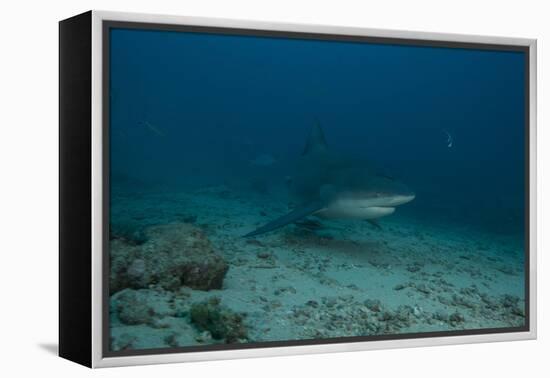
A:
{"points": [[28, 200]]}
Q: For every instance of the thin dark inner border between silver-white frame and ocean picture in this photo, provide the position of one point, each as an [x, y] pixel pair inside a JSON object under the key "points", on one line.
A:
{"points": [[107, 25]]}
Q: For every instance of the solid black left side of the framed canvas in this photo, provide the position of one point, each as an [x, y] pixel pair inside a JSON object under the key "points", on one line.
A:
{"points": [[75, 189]]}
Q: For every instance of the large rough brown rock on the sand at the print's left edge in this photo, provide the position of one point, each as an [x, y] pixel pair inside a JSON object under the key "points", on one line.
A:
{"points": [[174, 255]]}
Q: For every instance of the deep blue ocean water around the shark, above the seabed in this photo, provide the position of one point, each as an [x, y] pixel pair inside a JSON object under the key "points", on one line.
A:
{"points": [[190, 111]]}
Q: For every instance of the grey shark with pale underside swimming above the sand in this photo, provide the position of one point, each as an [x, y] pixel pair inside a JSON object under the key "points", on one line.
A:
{"points": [[331, 186]]}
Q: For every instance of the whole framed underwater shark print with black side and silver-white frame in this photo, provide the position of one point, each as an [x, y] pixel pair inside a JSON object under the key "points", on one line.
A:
{"points": [[236, 189]]}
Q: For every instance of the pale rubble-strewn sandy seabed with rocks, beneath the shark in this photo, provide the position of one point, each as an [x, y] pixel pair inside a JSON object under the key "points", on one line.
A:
{"points": [[313, 280]]}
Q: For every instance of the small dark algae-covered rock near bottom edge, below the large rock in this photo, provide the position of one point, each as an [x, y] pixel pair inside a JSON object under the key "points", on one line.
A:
{"points": [[221, 322]]}
